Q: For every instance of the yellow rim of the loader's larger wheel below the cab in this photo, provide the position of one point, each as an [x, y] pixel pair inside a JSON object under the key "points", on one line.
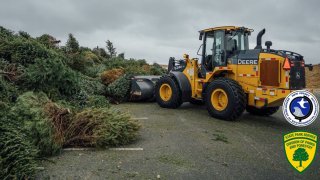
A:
{"points": [[219, 99]]}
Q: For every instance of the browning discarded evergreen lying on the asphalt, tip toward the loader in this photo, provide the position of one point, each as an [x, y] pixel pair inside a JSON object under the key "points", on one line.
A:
{"points": [[101, 127]]}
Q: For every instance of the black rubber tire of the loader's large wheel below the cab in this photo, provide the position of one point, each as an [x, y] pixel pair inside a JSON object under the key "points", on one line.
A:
{"points": [[236, 99]]}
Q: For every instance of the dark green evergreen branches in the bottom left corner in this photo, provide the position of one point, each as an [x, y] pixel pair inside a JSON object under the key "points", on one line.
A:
{"points": [[17, 155]]}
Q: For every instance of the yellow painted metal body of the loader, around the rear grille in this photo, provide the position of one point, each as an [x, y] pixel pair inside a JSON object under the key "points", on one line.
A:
{"points": [[248, 78]]}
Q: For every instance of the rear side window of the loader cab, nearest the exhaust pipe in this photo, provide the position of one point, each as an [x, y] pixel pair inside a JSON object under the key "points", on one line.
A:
{"points": [[237, 41]]}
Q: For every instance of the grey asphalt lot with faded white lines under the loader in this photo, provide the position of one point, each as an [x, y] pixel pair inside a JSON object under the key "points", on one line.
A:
{"points": [[186, 143]]}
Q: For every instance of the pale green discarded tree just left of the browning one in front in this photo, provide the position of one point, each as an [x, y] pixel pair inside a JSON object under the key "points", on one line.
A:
{"points": [[29, 110]]}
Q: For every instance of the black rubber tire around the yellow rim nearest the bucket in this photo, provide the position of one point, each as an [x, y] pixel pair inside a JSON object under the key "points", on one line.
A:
{"points": [[175, 100]]}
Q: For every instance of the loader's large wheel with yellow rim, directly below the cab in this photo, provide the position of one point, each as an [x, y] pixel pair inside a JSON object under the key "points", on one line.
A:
{"points": [[225, 99]]}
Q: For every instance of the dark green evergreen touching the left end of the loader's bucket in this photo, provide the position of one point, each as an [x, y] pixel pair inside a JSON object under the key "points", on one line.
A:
{"points": [[119, 89]]}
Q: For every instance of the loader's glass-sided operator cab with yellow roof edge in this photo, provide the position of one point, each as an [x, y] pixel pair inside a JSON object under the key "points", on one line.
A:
{"points": [[219, 44]]}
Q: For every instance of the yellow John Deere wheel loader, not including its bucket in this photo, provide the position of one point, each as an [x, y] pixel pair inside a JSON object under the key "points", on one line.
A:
{"points": [[231, 78]]}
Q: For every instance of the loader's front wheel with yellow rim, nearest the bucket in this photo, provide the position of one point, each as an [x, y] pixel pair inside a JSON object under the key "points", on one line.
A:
{"points": [[168, 94]]}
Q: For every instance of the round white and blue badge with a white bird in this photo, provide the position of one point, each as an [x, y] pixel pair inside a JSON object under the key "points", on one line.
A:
{"points": [[300, 108]]}
